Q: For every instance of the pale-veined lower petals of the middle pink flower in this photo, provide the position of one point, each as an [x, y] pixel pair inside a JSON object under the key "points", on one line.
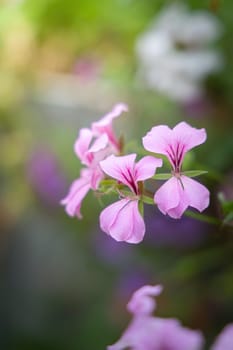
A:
{"points": [[123, 222]]}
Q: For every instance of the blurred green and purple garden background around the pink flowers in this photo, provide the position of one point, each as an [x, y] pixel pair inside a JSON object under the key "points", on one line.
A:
{"points": [[64, 64]]}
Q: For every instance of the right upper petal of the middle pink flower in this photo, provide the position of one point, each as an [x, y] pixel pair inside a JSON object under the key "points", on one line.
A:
{"points": [[146, 167]]}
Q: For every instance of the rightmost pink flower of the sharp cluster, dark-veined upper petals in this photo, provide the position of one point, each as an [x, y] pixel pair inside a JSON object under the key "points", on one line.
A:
{"points": [[180, 191]]}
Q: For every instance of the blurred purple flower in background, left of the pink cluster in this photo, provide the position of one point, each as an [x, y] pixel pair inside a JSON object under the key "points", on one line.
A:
{"points": [[45, 176]]}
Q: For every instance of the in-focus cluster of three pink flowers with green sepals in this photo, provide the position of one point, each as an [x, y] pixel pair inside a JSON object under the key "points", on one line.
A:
{"points": [[100, 151]]}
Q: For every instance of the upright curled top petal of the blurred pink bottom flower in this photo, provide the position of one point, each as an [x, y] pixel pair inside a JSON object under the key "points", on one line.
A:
{"points": [[142, 302]]}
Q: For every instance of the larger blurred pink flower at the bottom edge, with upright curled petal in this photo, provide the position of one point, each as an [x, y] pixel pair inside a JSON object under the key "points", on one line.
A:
{"points": [[146, 332]]}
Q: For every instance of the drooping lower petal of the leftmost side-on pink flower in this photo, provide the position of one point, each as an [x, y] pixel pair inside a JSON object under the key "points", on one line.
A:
{"points": [[78, 190]]}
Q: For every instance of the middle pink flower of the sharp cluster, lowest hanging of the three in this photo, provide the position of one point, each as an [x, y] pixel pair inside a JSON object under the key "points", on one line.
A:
{"points": [[122, 219]]}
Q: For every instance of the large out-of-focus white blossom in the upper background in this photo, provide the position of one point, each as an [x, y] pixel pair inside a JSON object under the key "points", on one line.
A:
{"points": [[175, 54]]}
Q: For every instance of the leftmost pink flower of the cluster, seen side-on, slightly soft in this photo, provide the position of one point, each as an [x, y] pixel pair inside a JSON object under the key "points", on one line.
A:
{"points": [[92, 146]]}
